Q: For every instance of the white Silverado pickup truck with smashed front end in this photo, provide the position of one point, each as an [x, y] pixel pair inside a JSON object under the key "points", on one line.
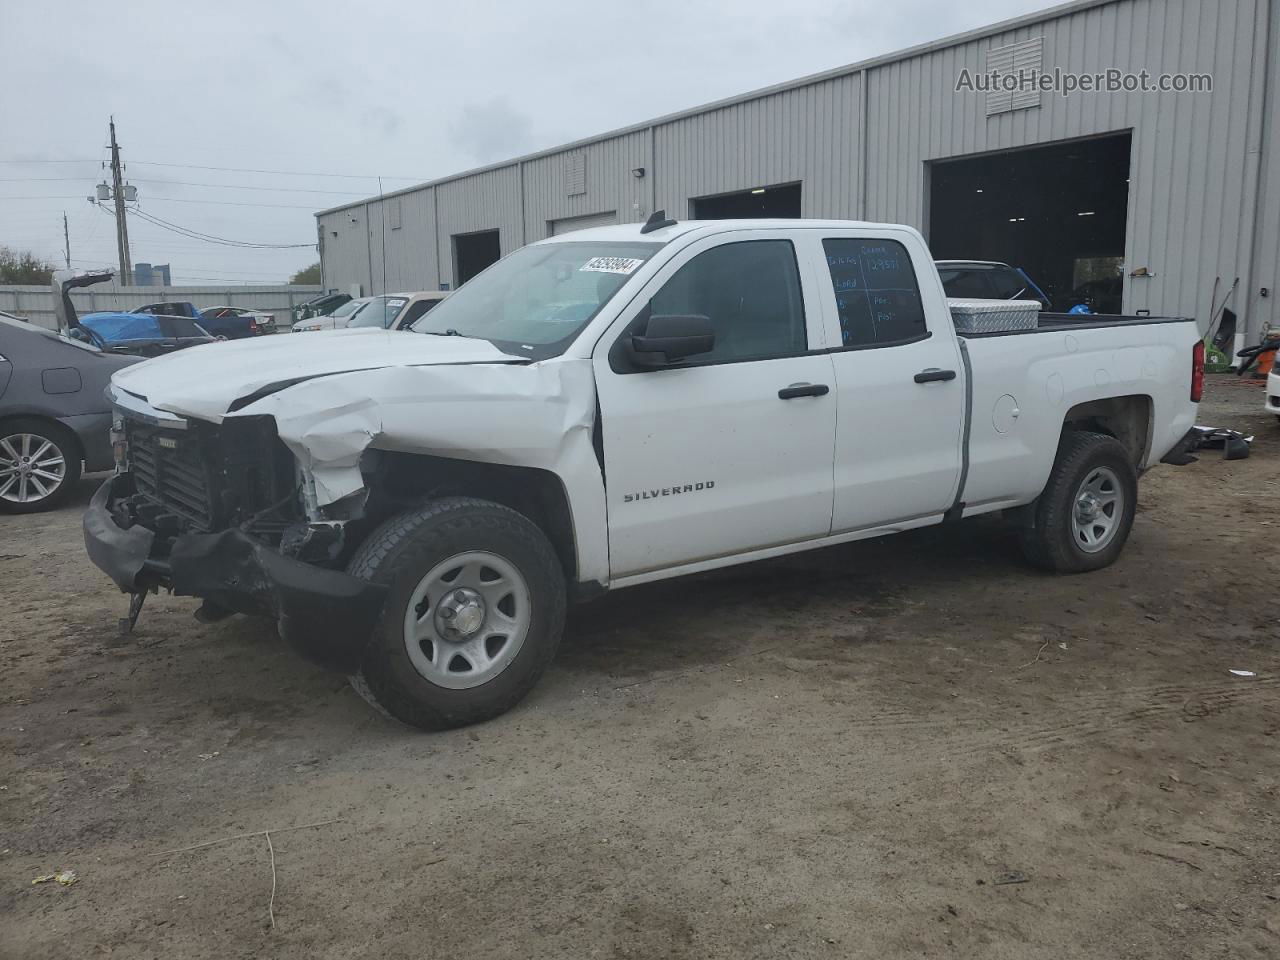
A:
{"points": [[614, 408]]}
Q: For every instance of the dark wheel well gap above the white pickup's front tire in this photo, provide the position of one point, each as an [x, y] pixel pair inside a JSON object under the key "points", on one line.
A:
{"points": [[406, 478]]}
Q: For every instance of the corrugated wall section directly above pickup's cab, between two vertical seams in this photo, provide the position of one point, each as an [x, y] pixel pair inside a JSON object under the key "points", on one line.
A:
{"points": [[807, 135]]}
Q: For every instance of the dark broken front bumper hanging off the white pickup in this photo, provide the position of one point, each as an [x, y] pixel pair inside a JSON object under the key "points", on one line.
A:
{"points": [[326, 615]]}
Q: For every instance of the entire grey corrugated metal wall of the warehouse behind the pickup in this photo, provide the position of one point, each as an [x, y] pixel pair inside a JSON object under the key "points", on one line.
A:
{"points": [[1199, 207]]}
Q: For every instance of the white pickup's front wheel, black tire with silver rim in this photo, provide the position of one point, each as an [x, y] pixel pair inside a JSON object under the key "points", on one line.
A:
{"points": [[474, 614]]}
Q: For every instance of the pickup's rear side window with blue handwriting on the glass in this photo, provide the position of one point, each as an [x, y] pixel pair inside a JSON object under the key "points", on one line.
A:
{"points": [[877, 295]]}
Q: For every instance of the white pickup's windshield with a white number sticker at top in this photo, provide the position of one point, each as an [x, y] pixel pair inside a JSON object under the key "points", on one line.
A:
{"points": [[537, 300]]}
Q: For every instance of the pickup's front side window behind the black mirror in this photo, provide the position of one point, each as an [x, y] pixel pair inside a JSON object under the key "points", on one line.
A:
{"points": [[751, 292]]}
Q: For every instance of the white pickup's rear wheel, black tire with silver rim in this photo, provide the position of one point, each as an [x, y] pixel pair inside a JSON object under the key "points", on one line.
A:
{"points": [[1084, 518]]}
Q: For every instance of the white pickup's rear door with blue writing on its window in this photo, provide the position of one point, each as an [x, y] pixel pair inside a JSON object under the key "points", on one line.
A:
{"points": [[899, 378]]}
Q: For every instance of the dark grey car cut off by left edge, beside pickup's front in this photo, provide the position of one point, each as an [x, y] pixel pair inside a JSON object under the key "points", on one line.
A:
{"points": [[54, 418]]}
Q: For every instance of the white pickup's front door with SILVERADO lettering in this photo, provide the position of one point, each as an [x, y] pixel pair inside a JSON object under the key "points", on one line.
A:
{"points": [[730, 451]]}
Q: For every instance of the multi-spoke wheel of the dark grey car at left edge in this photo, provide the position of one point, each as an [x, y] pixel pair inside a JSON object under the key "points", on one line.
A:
{"points": [[40, 465]]}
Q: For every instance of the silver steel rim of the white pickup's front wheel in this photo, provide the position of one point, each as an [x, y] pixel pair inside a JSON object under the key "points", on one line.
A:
{"points": [[467, 620]]}
